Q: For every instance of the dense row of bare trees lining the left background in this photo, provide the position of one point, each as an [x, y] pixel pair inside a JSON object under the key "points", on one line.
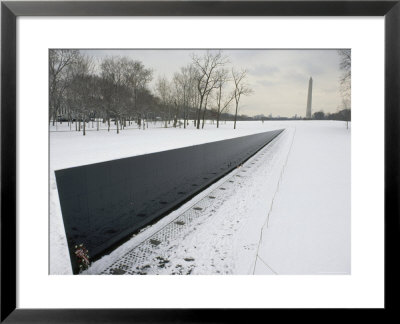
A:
{"points": [[116, 89]]}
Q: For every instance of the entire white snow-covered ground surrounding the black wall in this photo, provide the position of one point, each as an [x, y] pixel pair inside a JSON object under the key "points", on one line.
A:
{"points": [[292, 208]]}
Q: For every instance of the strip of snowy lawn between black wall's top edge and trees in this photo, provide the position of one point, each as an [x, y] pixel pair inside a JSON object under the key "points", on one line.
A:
{"points": [[68, 149]]}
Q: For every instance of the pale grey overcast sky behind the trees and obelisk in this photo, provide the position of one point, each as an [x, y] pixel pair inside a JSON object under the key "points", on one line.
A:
{"points": [[279, 78]]}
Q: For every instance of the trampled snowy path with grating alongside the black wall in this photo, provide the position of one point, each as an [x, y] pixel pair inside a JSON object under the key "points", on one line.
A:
{"points": [[217, 232]]}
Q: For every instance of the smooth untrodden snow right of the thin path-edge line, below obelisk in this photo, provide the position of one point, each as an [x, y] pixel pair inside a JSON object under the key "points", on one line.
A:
{"points": [[309, 226]]}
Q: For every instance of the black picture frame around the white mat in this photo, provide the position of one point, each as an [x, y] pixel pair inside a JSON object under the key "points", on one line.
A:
{"points": [[11, 10]]}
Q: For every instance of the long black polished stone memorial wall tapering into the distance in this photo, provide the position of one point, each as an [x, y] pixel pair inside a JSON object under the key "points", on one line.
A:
{"points": [[103, 203]]}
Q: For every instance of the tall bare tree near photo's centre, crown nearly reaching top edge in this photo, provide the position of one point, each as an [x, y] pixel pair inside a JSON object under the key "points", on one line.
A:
{"points": [[207, 65]]}
